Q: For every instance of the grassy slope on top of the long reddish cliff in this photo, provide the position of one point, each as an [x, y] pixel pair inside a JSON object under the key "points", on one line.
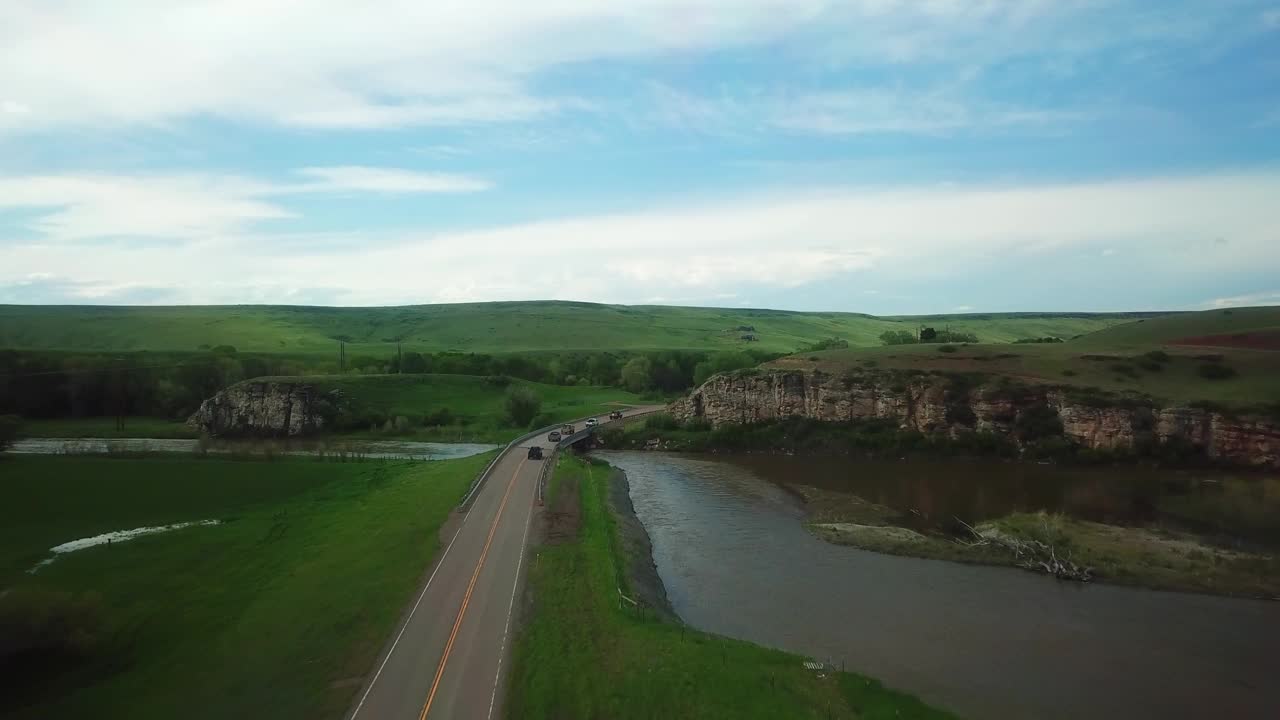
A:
{"points": [[1110, 361]]}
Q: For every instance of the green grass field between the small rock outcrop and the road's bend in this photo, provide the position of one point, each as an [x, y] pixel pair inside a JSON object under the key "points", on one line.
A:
{"points": [[476, 403]]}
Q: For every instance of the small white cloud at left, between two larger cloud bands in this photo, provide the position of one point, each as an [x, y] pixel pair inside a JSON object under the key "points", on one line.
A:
{"points": [[193, 207]]}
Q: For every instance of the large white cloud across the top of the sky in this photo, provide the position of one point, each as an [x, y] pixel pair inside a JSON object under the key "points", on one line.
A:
{"points": [[337, 65]]}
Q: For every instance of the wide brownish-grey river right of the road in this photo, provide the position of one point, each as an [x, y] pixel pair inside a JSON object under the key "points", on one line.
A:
{"points": [[986, 642]]}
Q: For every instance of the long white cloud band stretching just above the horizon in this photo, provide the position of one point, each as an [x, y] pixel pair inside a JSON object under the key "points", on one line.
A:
{"points": [[760, 243]]}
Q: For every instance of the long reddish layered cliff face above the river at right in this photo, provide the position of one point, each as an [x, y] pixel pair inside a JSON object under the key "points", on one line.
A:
{"points": [[934, 404]]}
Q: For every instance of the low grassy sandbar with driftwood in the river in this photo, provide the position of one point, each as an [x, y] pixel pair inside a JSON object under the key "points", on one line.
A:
{"points": [[1151, 558]]}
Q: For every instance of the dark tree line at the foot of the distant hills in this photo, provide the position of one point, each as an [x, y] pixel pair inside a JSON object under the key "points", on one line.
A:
{"points": [[172, 385]]}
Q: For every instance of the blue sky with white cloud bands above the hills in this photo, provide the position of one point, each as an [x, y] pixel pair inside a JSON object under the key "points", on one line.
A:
{"points": [[884, 157]]}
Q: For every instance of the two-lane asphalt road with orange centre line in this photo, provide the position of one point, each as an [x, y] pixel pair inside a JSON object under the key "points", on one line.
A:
{"points": [[449, 655]]}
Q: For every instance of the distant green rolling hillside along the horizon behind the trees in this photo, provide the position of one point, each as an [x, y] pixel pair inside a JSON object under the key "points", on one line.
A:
{"points": [[488, 327]]}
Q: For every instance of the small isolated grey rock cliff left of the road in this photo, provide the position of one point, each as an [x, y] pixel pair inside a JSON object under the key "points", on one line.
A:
{"points": [[267, 409]]}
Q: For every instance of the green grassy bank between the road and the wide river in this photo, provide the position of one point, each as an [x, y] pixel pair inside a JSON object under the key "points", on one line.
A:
{"points": [[583, 657]]}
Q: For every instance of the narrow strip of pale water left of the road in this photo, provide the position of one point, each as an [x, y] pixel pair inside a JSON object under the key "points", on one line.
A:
{"points": [[405, 450]]}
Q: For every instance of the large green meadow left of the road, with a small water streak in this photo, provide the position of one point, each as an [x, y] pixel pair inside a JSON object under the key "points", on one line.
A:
{"points": [[281, 609]]}
